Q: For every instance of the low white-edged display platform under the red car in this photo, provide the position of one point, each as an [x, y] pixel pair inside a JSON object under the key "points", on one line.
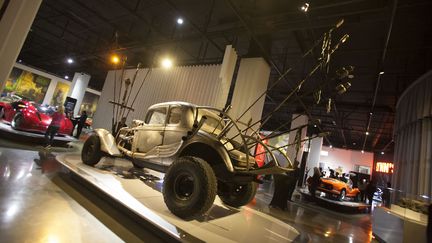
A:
{"points": [[7, 131]]}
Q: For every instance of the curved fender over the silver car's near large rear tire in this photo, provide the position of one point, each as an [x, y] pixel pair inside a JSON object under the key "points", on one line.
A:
{"points": [[214, 143]]}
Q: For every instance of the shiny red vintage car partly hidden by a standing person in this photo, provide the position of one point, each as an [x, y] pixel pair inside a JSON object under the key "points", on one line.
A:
{"points": [[29, 116]]}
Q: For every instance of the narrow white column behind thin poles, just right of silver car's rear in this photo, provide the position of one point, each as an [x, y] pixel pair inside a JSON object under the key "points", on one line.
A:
{"points": [[291, 150]]}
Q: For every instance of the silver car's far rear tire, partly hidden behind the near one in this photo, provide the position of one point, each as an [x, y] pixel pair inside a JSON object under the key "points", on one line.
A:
{"points": [[237, 195]]}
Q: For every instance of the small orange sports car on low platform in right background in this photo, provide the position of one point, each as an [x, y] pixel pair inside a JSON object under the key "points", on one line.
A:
{"points": [[339, 188]]}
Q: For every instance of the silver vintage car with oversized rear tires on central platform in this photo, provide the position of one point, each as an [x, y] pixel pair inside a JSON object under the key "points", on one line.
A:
{"points": [[189, 144]]}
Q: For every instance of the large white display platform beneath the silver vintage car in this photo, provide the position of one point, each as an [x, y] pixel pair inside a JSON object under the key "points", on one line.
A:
{"points": [[140, 191]]}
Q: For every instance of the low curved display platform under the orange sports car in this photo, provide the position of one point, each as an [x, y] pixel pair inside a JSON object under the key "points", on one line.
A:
{"points": [[340, 206]]}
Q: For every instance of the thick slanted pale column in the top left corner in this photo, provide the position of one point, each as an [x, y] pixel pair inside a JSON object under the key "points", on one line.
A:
{"points": [[15, 23]]}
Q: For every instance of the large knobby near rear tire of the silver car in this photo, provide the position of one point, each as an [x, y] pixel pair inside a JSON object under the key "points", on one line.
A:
{"points": [[189, 187]]}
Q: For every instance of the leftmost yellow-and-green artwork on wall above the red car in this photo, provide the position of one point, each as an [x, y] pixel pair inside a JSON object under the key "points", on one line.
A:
{"points": [[26, 84]]}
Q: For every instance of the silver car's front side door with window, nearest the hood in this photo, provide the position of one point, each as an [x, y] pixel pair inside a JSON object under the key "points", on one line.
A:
{"points": [[149, 136]]}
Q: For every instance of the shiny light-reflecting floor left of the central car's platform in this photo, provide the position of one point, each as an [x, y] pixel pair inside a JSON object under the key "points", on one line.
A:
{"points": [[34, 209]]}
